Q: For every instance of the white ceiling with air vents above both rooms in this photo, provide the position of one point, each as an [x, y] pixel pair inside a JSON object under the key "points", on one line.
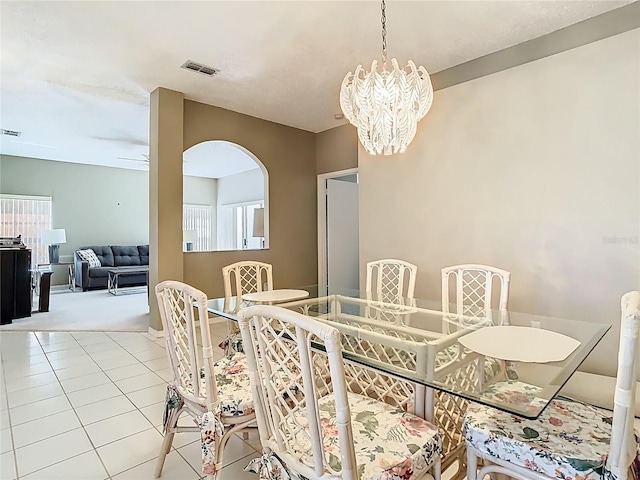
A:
{"points": [[76, 76]]}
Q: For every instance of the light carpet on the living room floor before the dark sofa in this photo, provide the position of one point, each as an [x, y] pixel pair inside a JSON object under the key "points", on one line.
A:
{"points": [[88, 311]]}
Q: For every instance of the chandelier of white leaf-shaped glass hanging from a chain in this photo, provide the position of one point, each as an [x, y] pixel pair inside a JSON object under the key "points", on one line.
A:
{"points": [[386, 106]]}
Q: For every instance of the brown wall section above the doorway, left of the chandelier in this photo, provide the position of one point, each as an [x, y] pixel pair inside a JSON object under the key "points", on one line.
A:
{"points": [[337, 149]]}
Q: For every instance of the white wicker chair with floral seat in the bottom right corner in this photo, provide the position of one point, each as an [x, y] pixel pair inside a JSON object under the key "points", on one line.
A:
{"points": [[570, 439]]}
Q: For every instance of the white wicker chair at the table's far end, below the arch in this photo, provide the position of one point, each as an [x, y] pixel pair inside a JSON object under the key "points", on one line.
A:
{"points": [[240, 278]]}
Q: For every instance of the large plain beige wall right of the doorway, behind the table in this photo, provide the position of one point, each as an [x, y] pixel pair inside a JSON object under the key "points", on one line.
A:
{"points": [[534, 170]]}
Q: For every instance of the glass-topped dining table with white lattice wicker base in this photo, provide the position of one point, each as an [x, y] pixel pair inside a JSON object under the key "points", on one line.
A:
{"points": [[512, 361]]}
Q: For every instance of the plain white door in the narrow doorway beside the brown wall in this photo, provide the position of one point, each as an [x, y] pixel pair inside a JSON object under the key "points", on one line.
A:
{"points": [[342, 233]]}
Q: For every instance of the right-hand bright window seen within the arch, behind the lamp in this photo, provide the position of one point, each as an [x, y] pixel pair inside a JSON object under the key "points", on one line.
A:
{"points": [[236, 227]]}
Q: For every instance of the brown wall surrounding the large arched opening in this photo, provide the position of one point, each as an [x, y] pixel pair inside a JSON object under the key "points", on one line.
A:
{"points": [[289, 156]]}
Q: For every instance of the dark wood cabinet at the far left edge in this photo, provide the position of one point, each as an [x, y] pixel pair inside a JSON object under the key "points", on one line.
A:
{"points": [[15, 284]]}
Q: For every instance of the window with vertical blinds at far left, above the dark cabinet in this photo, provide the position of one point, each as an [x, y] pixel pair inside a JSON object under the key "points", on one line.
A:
{"points": [[26, 216]]}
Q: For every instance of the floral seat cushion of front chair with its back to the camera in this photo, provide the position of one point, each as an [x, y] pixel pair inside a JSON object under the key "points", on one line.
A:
{"points": [[390, 444]]}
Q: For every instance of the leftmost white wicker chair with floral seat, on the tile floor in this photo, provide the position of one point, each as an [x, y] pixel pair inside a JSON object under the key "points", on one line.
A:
{"points": [[220, 408]]}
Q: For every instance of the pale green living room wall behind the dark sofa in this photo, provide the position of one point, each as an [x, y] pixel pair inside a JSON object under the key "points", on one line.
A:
{"points": [[95, 205]]}
